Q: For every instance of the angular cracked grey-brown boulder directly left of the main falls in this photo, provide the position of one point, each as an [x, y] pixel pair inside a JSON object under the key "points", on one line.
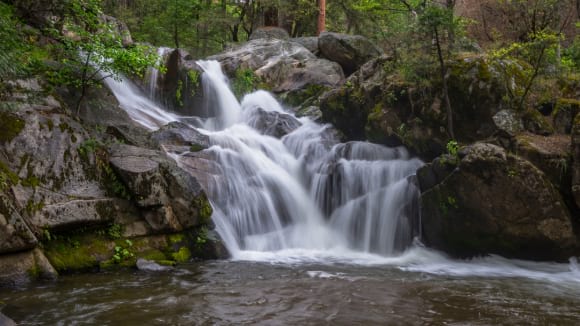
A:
{"points": [[171, 199]]}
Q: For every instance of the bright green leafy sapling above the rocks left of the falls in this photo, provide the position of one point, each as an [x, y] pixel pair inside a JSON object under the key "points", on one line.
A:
{"points": [[91, 50]]}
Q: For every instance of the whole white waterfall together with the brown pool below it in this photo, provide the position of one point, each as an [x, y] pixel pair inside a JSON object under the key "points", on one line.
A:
{"points": [[320, 233]]}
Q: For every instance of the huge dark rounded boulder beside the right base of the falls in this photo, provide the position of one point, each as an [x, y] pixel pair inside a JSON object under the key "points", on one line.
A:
{"points": [[493, 202]]}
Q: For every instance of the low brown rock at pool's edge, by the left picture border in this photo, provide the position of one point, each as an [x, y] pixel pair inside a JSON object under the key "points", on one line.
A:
{"points": [[21, 268]]}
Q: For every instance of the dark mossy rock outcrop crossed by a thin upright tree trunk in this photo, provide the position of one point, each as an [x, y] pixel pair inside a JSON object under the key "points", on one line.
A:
{"points": [[377, 104]]}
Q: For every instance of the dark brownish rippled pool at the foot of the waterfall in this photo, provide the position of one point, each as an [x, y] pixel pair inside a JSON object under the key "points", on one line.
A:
{"points": [[250, 293]]}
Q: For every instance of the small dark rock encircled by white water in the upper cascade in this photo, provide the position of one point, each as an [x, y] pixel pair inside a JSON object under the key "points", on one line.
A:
{"points": [[272, 123]]}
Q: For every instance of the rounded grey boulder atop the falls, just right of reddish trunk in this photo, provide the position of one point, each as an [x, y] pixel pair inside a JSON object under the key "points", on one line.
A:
{"points": [[350, 51]]}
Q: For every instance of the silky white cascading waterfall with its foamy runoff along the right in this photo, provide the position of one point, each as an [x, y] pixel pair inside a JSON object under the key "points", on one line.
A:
{"points": [[307, 199]]}
